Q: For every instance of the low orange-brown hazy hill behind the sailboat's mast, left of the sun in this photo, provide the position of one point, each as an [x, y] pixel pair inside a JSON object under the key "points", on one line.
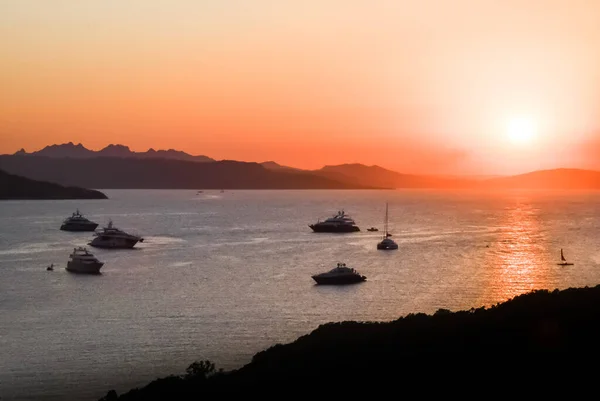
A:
{"points": [[382, 177]]}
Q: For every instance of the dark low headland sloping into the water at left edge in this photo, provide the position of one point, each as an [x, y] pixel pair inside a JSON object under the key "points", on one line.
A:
{"points": [[20, 188]]}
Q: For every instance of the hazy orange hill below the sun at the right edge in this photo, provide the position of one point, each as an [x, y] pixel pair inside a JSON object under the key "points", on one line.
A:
{"points": [[562, 178]]}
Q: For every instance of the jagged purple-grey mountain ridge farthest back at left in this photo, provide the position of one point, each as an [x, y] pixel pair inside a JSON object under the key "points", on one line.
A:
{"points": [[79, 151]]}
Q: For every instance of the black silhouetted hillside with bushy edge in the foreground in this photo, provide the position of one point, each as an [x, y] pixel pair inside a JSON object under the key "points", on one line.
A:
{"points": [[538, 340]]}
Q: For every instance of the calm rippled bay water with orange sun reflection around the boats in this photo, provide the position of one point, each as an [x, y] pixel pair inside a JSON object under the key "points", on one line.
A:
{"points": [[221, 276]]}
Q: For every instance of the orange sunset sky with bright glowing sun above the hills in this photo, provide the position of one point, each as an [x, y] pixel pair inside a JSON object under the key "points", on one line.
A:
{"points": [[429, 86]]}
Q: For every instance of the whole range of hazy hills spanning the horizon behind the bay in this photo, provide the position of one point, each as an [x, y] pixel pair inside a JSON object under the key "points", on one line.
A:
{"points": [[117, 167]]}
